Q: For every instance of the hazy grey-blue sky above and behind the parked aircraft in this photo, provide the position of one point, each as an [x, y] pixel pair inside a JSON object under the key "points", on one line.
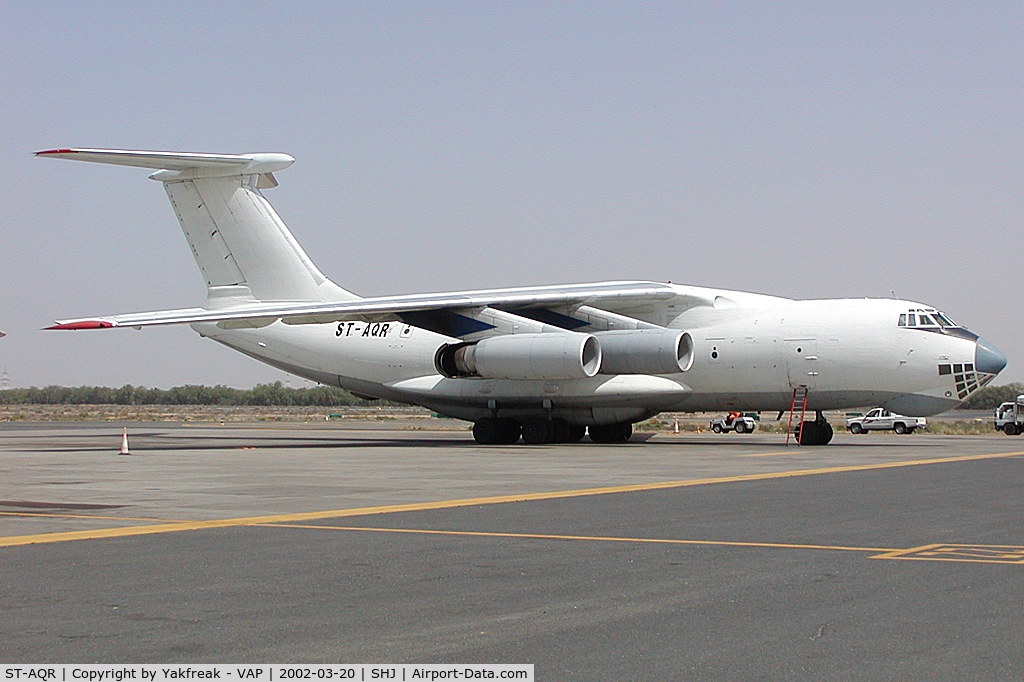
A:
{"points": [[803, 150]]}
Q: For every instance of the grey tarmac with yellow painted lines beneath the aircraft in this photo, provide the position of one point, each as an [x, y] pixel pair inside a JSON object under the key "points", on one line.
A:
{"points": [[697, 557]]}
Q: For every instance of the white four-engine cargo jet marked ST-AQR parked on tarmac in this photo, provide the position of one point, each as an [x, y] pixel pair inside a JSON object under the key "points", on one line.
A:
{"points": [[543, 363]]}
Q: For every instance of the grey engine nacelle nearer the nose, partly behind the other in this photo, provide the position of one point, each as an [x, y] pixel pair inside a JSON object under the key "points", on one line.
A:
{"points": [[646, 352]]}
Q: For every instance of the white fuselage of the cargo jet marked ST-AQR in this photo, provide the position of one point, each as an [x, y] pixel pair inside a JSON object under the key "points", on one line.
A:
{"points": [[750, 352]]}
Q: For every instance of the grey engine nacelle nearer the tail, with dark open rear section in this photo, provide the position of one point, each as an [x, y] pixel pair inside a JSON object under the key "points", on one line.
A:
{"points": [[569, 356]]}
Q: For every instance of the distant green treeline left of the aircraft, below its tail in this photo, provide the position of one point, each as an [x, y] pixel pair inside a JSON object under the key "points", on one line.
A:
{"points": [[263, 395]]}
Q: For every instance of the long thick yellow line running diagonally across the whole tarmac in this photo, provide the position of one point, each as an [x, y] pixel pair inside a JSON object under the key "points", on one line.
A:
{"points": [[179, 527]]}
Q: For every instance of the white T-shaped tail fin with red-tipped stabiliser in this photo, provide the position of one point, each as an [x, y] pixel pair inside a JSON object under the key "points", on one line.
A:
{"points": [[242, 247]]}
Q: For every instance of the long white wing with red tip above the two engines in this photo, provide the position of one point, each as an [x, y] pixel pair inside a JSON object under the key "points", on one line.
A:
{"points": [[602, 295]]}
